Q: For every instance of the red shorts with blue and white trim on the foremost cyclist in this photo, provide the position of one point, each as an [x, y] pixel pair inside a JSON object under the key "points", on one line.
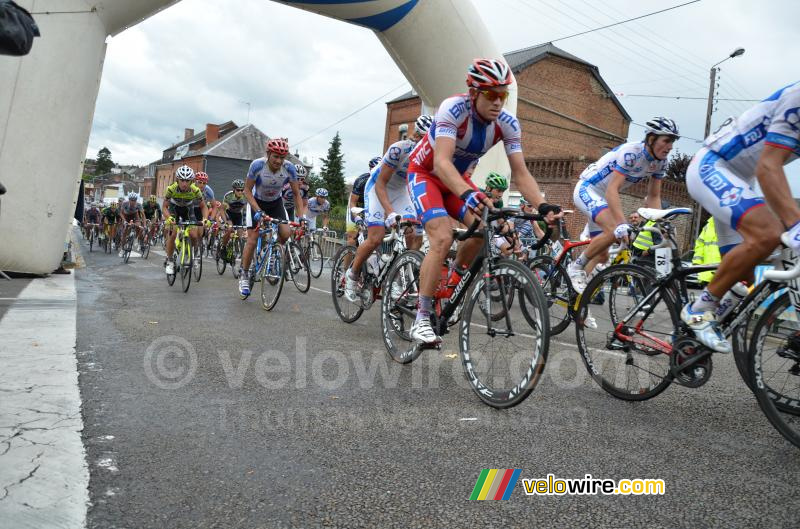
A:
{"points": [[432, 199]]}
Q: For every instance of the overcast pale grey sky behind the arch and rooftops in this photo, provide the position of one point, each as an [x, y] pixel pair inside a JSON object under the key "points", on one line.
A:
{"points": [[199, 61]]}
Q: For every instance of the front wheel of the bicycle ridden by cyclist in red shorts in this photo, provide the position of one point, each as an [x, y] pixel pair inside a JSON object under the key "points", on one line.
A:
{"points": [[504, 360]]}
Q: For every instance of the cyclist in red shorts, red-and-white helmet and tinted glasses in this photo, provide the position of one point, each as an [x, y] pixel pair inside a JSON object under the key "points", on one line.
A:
{"points": [[466, 126]]}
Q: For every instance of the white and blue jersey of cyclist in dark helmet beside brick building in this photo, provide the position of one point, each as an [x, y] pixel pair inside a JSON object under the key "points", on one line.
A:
{"points": [[631, 159]]}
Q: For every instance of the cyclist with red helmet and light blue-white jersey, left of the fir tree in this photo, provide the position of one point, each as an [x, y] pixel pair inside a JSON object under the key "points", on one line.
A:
{"points": [[263, 191]]}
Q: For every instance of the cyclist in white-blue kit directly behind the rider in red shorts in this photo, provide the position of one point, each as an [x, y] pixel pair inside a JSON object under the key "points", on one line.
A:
{"points": [[387, 191]]}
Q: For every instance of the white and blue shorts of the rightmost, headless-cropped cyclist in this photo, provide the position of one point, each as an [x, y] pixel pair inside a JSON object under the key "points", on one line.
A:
{"points": [[728, 196]]}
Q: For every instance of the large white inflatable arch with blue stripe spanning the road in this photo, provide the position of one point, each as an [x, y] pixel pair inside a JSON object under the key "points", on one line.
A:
{"points": [[48, 97]]}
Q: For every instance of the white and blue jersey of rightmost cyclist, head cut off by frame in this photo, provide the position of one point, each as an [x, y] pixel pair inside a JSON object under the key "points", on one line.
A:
{"points": [[774, 121]]}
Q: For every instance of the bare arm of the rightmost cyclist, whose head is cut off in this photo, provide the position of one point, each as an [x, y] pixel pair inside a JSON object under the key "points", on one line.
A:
{"points": [[773, 182]]}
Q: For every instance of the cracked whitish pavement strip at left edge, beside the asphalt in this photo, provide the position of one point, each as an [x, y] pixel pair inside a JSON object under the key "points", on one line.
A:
{"points": [[43, 471]]}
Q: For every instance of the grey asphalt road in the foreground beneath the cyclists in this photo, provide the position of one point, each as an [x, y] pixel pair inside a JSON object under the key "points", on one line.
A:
{"points": [[201, 410]]}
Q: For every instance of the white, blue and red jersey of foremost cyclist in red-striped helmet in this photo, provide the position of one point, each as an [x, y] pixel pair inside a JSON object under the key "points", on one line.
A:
{"points": [[458, 120]]}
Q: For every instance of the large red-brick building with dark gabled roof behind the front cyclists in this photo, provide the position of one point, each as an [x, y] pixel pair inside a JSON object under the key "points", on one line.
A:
{"points": [[570, 118]]}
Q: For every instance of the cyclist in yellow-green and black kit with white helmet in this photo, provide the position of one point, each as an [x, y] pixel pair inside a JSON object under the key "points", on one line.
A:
{"points": [[182, 201]]}
